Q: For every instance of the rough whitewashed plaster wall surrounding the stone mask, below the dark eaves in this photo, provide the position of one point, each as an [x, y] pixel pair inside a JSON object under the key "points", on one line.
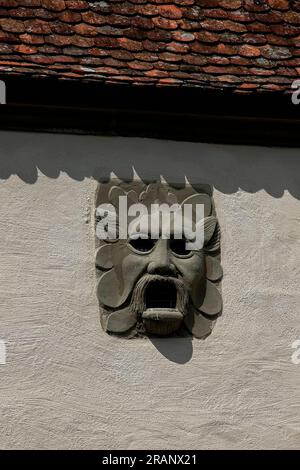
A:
{"points": [[66, 384]]}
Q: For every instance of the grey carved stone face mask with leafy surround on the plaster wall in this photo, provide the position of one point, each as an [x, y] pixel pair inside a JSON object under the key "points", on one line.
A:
{"points": [[157, 287]]}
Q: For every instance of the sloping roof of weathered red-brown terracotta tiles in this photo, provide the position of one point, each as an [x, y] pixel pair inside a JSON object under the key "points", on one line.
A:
{"points": [[246, 45]]}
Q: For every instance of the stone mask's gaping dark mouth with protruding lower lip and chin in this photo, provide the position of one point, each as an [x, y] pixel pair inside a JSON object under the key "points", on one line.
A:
{"points": [[161, 315]]}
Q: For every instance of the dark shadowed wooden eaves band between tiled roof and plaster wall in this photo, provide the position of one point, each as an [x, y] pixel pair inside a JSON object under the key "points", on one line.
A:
{"points": [[188, 114]]}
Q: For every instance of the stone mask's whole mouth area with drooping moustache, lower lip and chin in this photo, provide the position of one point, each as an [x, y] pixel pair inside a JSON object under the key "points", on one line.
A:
{"points": [[164, 298]]}
